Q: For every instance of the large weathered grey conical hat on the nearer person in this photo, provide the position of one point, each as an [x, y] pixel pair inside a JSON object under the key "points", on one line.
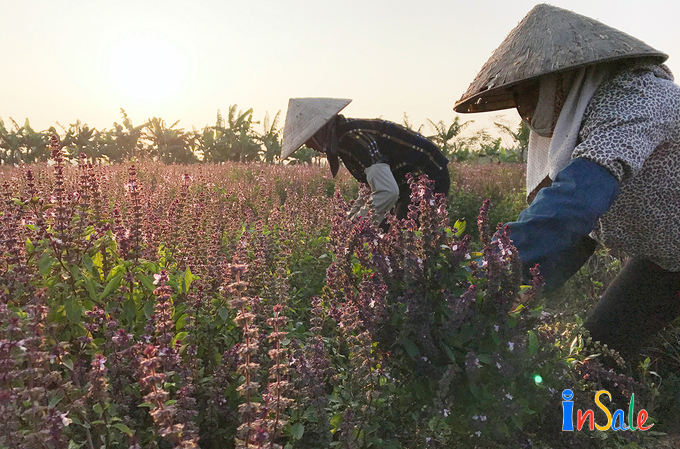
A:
{"points": [[547, 40]]}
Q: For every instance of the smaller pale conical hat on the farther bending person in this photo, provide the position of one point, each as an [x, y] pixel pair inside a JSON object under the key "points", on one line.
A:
{"points": [[305, 117]]}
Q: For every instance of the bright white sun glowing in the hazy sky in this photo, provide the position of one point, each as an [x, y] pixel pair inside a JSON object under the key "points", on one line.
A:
{"points": [[146, 68]]}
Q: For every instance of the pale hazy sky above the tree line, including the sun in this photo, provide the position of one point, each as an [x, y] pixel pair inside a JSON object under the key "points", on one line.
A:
{"points": [[185, 60]]}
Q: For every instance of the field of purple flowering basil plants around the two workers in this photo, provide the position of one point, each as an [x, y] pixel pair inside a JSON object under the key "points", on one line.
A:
{"points": [[234, 306]]}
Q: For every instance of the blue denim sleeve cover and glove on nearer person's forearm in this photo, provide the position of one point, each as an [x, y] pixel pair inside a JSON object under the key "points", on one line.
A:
{"points": [[553, 231]]}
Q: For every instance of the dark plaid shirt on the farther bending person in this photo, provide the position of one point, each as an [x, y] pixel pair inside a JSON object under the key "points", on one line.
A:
{"points": [[363, 143]]}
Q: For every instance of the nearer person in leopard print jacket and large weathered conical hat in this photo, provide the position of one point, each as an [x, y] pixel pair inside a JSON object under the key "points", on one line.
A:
{"points": [[603, 162]]}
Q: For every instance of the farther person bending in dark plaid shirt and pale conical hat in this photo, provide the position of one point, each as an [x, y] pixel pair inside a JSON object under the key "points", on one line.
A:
{"points": [[376, 152]]}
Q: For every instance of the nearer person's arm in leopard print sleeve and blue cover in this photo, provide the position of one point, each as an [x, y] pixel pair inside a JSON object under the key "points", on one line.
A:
{"points": [[628, 118]]}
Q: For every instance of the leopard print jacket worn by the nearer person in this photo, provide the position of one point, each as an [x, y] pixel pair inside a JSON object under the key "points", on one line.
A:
{"points": [[632, 127]]}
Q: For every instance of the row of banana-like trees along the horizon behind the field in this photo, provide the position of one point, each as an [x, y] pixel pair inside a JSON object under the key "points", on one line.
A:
{"points": [[236, 137]]}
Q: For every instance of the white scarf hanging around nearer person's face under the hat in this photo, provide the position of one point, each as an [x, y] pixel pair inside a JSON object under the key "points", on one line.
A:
{"points": [[549, 155]]}
